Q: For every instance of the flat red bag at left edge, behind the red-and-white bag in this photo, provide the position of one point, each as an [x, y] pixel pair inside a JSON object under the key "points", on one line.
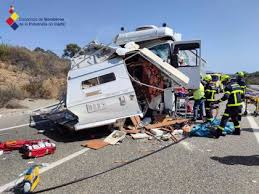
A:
{"points": [[17, 144]]}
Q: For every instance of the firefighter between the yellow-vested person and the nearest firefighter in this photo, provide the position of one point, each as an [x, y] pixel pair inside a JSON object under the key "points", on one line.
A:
{"points": [[210, 92]]}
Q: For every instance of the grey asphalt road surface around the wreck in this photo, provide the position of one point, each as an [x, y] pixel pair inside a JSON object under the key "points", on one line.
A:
{"points": [[195, 165]]}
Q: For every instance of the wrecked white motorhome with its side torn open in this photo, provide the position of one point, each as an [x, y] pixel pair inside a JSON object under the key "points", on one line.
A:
{"points": [[135, 76]]}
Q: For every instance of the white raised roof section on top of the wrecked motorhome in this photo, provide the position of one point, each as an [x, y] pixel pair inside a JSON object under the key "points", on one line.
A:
{"points": [[145, 33]]}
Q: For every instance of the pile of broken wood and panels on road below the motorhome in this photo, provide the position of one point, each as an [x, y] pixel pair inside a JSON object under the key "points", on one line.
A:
{"points": [[163, 128]]}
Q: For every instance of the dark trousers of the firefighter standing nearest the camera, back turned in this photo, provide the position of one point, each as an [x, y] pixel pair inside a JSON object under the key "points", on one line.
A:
{"points": [[233, 113]]}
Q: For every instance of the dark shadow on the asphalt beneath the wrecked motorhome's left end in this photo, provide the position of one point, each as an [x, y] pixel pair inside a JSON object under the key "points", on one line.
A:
{"points": [[62, 134]]}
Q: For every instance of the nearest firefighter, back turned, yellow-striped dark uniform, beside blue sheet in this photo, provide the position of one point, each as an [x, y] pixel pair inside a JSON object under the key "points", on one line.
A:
{"points": [[233, 93]]}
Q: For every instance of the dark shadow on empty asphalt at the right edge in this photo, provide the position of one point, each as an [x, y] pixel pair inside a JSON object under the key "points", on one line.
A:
{"points": [[252, 160]]}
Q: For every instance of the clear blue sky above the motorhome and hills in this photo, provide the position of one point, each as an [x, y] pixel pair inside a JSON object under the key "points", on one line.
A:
{"points": [[228, 29]]}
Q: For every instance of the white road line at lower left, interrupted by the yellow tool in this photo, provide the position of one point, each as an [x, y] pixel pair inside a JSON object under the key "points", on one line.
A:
{"points": [[44, 169]]}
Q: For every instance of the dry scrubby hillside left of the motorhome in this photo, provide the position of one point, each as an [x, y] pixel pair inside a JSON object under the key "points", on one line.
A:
{"points": [[35, 74]]}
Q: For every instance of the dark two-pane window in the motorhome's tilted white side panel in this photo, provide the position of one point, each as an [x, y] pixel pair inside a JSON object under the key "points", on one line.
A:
{"points": [[98, 80]]}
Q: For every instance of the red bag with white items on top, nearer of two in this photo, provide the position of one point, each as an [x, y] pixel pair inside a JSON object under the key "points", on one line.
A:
{"points": [[38, 150]]}
